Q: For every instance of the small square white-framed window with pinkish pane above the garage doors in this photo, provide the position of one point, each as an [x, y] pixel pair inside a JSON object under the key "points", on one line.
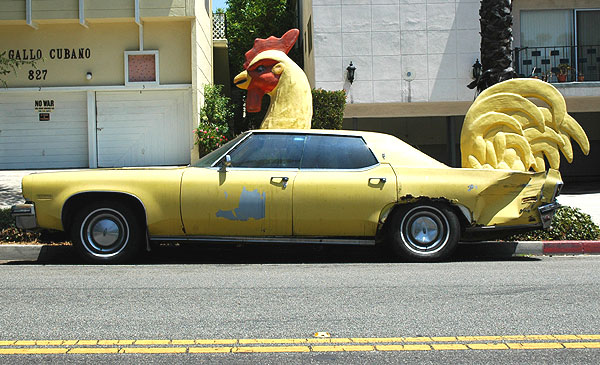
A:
{"points": [[141, 68]]}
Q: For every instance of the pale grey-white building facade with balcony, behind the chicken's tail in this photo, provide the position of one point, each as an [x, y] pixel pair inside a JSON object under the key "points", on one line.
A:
{"points": [[414, 60]]}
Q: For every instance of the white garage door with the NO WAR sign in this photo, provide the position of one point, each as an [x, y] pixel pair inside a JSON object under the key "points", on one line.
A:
{"points": [[61, 141]]}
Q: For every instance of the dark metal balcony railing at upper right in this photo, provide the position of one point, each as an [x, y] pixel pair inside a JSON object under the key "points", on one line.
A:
{"points": [[581, 62]]}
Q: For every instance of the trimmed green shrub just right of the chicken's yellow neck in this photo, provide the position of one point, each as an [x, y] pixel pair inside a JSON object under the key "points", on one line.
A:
{"points": [[328, 109]]}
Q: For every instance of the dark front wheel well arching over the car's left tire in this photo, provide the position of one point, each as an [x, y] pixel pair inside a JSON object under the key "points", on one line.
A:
{"points": [[76, 202]]}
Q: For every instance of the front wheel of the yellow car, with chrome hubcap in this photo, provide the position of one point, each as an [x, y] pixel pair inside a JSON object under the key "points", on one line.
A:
{"points": [[107, 232]]}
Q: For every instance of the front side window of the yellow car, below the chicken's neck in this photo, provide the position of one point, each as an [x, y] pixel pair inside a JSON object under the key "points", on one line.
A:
{"points": [[265, 150]]}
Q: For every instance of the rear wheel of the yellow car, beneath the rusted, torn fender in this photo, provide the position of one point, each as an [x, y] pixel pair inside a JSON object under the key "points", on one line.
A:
{"points": [[424, 232]]}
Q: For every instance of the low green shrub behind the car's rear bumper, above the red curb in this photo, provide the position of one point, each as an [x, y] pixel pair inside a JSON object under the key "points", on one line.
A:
{"points": [[568, 224]]}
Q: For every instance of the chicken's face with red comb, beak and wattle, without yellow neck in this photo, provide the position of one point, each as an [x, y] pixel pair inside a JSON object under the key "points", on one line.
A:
{"points": [[265, 63]]}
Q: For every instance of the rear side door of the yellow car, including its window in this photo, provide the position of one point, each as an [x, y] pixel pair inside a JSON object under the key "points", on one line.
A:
{"points": [[341, 188]]}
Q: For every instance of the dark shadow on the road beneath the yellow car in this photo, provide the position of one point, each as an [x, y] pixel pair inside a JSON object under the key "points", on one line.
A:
{"points": [[275, 254]]}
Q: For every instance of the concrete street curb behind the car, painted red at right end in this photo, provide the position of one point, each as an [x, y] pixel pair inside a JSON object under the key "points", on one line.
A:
{"points": [[49, 253]]}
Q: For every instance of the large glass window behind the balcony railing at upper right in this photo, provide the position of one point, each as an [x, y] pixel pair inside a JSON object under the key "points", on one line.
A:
{"points": [[559, 41]]}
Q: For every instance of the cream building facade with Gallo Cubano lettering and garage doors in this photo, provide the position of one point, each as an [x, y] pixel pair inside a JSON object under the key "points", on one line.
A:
{"points": [[113, 83]]}
